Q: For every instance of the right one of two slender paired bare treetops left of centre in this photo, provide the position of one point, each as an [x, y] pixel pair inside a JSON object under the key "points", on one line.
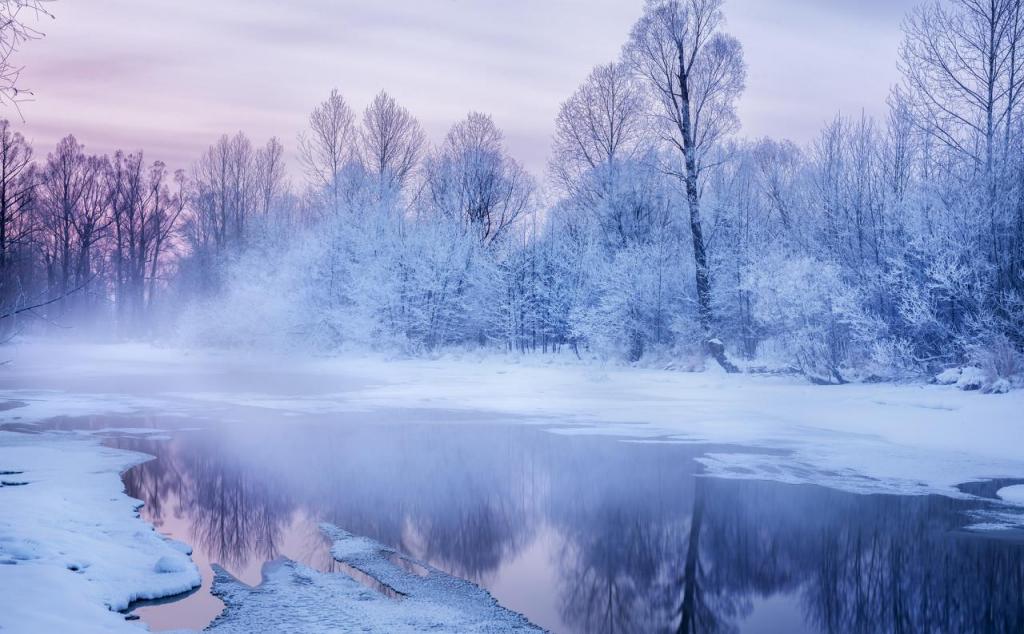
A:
{"points": [[393, 143]]}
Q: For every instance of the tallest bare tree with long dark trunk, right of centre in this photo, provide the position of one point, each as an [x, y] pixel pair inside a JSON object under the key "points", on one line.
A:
{"points": [[698, 73]]}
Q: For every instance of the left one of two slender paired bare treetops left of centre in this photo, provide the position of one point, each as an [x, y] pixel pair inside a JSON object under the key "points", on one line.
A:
{"points": [[328, 146]]}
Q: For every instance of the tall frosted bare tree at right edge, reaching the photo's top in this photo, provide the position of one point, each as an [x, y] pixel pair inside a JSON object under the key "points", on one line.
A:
{"points": [[964, 68]]}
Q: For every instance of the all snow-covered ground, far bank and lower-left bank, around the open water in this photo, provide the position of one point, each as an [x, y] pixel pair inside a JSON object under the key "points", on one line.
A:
{"points": [[910, 439]]}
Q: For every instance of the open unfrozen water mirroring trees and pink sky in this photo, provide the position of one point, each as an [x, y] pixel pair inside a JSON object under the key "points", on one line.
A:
{"points": [[580, 534]]}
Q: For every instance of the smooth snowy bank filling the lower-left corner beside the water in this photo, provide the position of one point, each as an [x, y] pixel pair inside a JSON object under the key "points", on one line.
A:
{"points": [[73, 547]]}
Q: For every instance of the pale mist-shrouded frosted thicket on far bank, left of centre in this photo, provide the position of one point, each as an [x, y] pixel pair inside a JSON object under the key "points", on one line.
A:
{"points": [[368, 278]]}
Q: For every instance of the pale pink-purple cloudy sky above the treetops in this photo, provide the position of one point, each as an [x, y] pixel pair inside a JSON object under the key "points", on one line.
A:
{"points": [[170, 76]]}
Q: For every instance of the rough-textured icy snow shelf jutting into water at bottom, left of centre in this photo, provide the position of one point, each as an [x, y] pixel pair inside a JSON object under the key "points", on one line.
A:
{"points": [[295, 599]]}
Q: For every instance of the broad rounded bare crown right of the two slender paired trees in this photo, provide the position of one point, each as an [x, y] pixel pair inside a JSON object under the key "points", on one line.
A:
{"points": [[475, 180]]}
